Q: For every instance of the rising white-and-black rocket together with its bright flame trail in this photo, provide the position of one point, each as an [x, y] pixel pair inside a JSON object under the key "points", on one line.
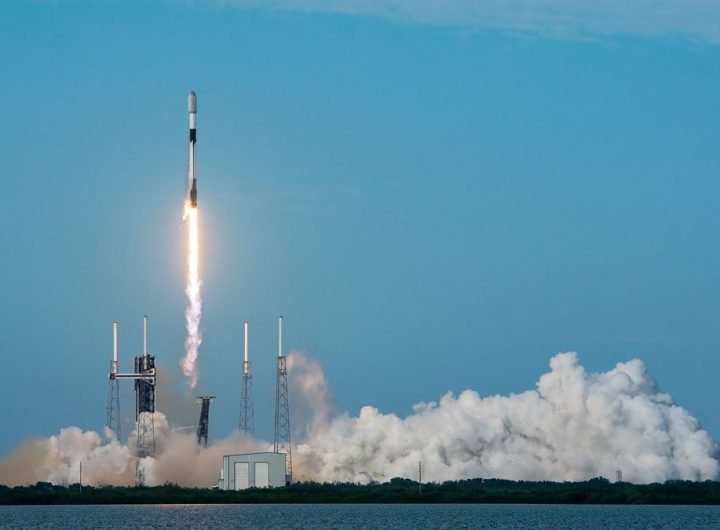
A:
{"points": [[193, 311]]}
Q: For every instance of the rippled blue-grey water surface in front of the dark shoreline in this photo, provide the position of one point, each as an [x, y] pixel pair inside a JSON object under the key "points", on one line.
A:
{"points": [[357, 516]]}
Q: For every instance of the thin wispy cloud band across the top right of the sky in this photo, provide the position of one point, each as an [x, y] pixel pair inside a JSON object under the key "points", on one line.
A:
{"points": [[694, 19]]}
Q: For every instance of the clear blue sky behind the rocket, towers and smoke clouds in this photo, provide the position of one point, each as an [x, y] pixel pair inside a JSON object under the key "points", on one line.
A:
{"points": [[435, 202]]}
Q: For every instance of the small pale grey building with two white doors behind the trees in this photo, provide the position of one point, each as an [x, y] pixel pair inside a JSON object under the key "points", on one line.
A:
{"points": [[252, 470]]}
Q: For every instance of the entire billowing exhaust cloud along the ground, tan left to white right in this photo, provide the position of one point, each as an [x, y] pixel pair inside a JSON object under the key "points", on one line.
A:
{"points": [[574, 426]]}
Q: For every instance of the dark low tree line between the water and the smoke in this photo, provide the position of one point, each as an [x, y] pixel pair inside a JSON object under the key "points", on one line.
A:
{"points": [[596, 491]]}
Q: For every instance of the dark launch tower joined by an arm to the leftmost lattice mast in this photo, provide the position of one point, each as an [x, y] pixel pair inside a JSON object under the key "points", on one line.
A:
{"points": [[145, 378]]}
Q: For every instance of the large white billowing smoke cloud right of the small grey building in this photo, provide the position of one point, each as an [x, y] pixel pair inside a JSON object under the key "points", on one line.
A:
{"points": [[575, 426]]}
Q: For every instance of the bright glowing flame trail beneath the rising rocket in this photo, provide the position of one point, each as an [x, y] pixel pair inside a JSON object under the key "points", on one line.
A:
{"points": [[193, 311]]}
